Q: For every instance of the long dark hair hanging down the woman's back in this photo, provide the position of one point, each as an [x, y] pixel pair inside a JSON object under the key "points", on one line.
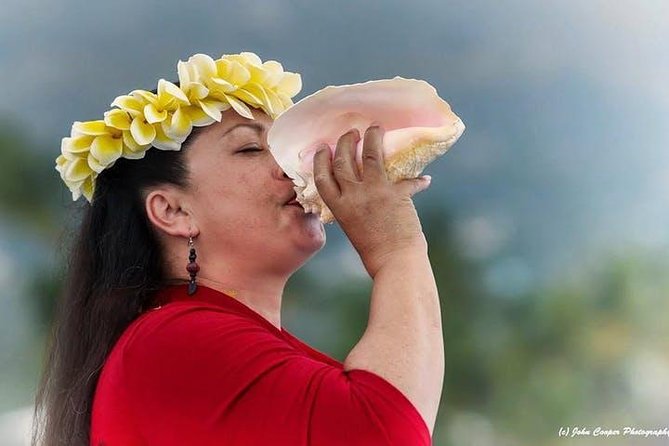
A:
{"points": [[115, 268]]}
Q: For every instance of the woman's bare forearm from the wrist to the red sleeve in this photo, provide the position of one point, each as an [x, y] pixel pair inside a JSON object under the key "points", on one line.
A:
{"points": [[403, 341]]}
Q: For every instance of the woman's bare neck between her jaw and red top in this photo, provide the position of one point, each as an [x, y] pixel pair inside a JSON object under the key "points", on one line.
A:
{"points": [[262, 297]]}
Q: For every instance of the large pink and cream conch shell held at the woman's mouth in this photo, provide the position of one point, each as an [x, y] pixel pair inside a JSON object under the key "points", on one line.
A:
{"points": [[419, 127]]}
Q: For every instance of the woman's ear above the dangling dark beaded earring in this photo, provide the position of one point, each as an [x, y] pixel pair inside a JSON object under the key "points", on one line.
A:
{"points": [[166, 209]]}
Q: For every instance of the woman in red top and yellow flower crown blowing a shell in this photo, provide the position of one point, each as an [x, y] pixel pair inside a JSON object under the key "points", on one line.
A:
{"points": [[169, 332]]}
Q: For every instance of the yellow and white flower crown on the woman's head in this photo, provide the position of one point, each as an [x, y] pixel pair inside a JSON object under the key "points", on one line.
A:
{"points": [[143, 119]]}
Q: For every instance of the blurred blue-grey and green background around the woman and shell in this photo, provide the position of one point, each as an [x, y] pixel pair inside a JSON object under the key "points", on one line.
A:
{"points": [[547, 222]]}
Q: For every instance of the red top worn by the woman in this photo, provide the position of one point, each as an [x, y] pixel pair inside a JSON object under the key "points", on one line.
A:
{"points": [[208, 370]]}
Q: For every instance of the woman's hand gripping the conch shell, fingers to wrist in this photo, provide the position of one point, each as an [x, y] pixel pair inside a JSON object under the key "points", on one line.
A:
{"points": [[377, 216]]}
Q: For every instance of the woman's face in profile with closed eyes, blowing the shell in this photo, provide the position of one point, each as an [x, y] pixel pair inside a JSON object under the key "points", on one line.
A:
{"points": [[239, 196]]}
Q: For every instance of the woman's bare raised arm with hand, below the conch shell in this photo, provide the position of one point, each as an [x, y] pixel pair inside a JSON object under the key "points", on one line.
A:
{"points": [[403, 341]]}
